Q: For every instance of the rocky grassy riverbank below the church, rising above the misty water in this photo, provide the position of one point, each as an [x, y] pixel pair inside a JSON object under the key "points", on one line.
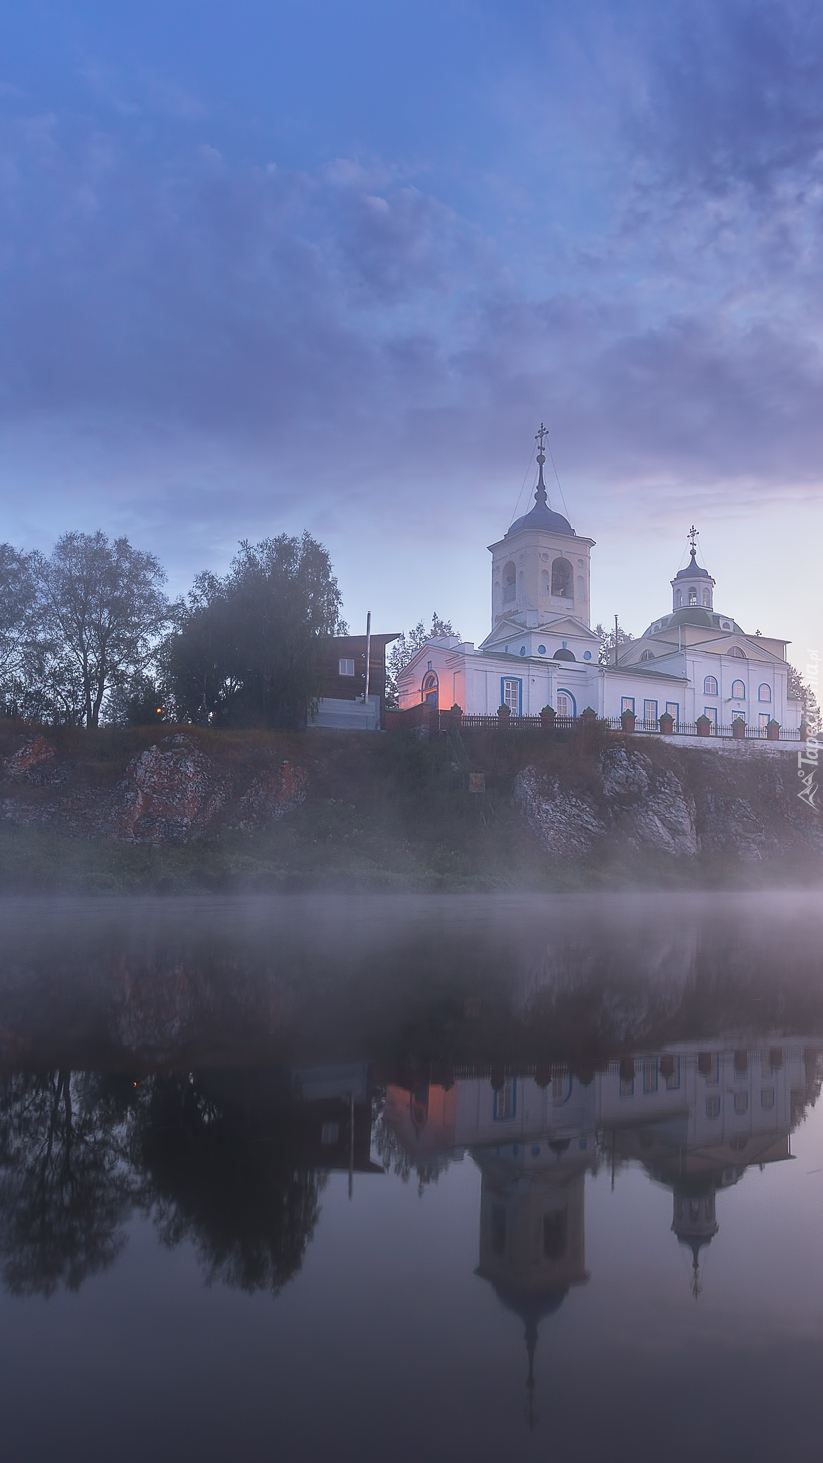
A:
{"points": [[186, 810]]}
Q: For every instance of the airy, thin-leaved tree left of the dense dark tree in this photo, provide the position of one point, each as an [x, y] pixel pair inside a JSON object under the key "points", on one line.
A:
{"points": [[102, 611]]}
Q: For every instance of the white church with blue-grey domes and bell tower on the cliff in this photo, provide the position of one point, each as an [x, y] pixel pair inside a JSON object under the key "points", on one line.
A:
{"points": [[542, 653]]}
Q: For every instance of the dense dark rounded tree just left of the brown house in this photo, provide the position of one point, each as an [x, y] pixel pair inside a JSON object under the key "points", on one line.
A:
{"points": [[249, 649]]}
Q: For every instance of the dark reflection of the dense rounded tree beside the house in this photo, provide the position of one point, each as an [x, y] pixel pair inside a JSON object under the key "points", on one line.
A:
{"points": [[233, 1187]]}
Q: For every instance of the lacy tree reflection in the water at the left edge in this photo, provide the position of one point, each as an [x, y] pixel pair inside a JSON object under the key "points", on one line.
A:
{"points": [[65, 1186]]}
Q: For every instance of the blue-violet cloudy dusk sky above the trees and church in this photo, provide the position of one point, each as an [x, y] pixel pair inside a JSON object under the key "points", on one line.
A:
{"points": [[271, 267]]}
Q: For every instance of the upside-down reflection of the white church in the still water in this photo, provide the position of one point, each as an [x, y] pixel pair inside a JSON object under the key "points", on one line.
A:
{"points": [[697, 1120]]}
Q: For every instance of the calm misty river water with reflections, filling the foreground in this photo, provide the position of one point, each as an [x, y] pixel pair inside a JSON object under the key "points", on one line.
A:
{"points": [[350, 1180]]}
